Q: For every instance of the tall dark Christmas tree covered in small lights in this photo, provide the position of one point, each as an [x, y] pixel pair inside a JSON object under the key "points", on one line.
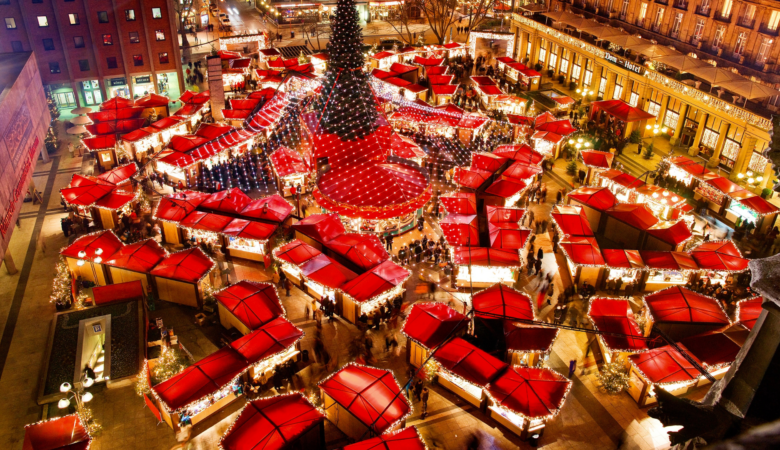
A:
{"points": [[346, 105]]}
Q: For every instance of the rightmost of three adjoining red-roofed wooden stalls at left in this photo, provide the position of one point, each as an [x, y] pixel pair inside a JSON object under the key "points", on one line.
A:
{"points": [[184, 276]]}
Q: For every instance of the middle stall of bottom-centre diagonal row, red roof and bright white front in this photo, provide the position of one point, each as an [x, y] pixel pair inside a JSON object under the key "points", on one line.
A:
{"points": [[465, 370]]}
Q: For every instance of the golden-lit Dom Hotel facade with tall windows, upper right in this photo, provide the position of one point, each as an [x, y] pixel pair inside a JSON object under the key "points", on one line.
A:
{"points": [[729, 137]]}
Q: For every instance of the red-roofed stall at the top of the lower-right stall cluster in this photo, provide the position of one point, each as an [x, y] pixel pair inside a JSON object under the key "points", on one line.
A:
{"points": [[680, 312]]}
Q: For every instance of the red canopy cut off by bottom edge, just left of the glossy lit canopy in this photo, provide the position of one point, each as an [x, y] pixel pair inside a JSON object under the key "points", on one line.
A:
{"points": [[271, 423]]}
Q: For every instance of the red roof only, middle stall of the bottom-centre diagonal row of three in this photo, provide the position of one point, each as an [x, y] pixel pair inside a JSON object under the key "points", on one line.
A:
{"points": [[469, 362]]}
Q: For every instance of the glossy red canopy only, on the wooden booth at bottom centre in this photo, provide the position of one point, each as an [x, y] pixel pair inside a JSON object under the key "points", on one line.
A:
{"points": [[371, 395]]}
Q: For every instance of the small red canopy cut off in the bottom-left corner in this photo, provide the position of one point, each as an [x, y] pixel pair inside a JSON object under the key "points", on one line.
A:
{"points": [[63, 433]]}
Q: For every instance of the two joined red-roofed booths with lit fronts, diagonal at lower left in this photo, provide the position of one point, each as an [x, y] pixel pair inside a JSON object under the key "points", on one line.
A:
{"points": [[212, 383]]}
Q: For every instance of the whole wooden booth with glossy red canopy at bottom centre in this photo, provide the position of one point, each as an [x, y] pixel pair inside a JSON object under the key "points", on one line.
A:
{"points": [[362, 399]]}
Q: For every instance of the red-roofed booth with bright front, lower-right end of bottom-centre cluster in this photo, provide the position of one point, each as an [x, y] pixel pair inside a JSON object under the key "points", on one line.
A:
{"points": [[524, 399]]}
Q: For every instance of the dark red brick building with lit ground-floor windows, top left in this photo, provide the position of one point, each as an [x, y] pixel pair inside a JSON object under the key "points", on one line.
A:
{"points": [[91, 50]]}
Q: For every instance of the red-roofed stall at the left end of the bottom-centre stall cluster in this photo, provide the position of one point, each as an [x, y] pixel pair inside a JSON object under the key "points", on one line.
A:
{"points": [[428, 326]]}
